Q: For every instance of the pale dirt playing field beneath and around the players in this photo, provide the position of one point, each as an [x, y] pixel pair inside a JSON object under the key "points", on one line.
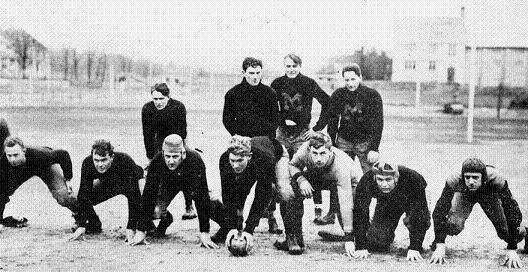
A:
{"points": [[432, 143]]}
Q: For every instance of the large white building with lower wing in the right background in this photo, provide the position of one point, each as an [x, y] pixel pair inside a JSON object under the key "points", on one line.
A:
{"points": [[437, 49]]}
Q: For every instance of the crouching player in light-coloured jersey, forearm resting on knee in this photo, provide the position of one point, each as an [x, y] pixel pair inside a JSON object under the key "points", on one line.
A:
{"points": [[315, 165]]}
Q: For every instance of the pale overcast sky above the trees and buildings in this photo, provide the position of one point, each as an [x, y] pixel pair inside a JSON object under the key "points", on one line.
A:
{"points": [[219, 35]]}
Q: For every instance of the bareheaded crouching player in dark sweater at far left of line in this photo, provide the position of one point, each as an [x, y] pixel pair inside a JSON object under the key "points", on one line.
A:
{"points": [[20, 163]]}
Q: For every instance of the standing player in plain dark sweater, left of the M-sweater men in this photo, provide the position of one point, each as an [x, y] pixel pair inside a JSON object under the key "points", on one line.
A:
{"points": [[250, 110]]}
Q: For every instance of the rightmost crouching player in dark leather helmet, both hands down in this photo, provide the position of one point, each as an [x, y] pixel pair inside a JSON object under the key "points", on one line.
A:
{"points": [[477, 183]]}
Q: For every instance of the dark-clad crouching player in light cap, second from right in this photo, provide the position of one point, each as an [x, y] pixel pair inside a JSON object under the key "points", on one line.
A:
{"points": [[398, 190]]}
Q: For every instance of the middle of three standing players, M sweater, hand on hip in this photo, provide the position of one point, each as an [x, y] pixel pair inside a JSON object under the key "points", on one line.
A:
{"points": [[295, 93]]}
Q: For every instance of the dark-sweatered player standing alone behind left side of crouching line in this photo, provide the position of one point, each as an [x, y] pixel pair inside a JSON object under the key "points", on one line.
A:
{"points": [[161, 117]]}
